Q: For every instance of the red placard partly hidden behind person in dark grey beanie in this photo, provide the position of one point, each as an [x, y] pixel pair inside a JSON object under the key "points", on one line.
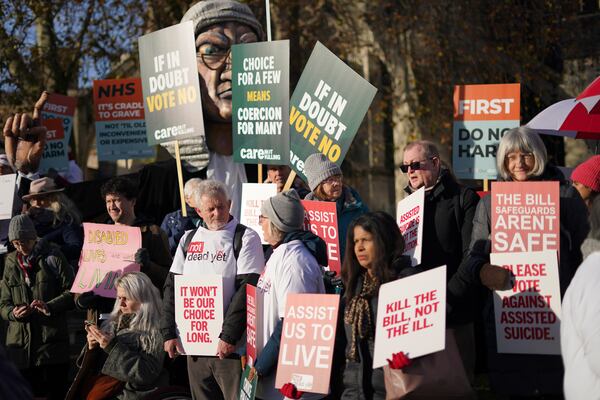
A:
{"points": [[320, 217]]}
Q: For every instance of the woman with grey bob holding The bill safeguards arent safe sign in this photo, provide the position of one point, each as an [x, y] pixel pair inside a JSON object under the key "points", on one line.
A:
{"points": [[522, 157]]}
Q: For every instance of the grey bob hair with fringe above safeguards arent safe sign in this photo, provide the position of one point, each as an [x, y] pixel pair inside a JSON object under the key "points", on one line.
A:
{"points": [[524, 140]]}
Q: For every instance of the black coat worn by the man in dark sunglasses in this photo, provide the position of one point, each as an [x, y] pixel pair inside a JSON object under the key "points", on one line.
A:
{"points": [[448, 222]]}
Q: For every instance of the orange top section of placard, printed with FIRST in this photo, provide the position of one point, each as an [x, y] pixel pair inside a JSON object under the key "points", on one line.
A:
{"points": [[487, 102]]}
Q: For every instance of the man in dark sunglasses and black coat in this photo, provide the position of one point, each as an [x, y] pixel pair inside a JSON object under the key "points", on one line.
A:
{"points": [[448, 221]]}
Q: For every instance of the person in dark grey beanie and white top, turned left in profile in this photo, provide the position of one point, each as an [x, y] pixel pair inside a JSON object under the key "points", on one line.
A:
{"points": [[293, 267]]}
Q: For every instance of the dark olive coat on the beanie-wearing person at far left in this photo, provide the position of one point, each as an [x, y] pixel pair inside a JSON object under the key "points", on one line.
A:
{"points": [[38, 339]]}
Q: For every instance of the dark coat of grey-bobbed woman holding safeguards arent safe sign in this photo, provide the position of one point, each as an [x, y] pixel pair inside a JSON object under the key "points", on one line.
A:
{"points": [[529, 374]]}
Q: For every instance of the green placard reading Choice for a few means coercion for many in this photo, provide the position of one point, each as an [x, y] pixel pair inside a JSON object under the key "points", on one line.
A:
{"points": [[261, 87]]}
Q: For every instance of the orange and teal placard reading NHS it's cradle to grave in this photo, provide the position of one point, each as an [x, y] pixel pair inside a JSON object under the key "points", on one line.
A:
{"points": [[120, 124]]}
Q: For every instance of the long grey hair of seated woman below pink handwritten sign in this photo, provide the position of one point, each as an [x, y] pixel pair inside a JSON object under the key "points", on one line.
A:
{"points": [[139, 287]]}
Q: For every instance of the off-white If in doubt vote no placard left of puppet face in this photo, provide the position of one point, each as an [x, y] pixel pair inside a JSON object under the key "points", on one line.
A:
{"points": [[172, 104]]}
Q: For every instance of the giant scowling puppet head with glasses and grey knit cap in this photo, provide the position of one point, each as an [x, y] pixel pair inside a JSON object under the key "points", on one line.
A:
{"points": [[218, 24]]}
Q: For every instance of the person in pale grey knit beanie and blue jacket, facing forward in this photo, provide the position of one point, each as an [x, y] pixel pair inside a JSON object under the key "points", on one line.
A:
{"points": [[326, 183]]}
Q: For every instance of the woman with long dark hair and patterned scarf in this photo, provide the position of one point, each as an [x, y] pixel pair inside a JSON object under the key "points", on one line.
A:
{"points": [[374, 259]]}
